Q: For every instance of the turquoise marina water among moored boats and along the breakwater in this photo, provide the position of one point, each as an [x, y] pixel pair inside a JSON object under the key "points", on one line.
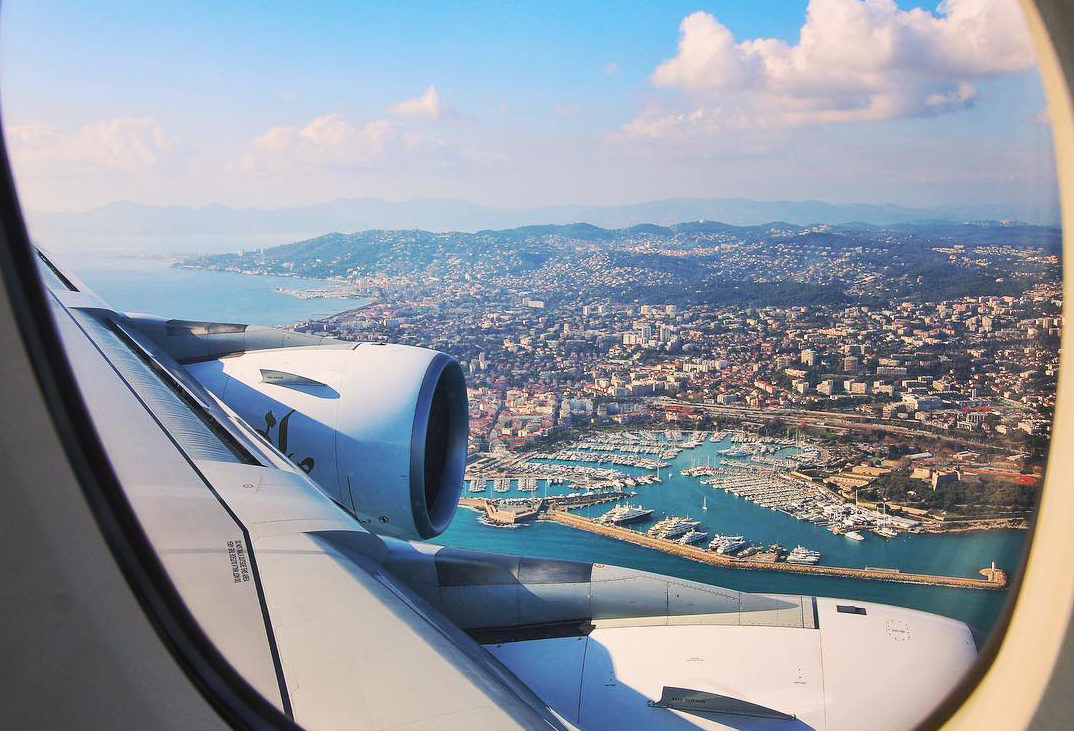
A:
{"points": [[724, 515]]}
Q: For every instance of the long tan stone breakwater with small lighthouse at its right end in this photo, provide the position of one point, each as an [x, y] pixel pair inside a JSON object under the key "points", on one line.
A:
{"points": [[995, 579]]}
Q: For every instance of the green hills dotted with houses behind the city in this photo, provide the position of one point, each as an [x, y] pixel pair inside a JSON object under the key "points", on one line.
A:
{"points": [[710, 262]]}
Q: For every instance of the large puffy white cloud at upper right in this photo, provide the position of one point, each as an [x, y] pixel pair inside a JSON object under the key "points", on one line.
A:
{"points": [[855, 61]]}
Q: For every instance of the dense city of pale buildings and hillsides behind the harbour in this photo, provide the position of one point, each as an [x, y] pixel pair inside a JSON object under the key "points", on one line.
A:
{"points": [[922, 358]]}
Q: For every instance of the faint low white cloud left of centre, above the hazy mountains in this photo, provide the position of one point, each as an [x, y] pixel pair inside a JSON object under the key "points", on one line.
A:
{"points": [[333, 141]]}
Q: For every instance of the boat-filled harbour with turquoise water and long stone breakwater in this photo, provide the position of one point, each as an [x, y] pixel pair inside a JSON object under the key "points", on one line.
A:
{"points": [[699, 485]]}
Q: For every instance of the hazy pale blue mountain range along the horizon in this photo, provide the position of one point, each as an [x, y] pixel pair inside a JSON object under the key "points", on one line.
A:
{"points": [[216, 228]]}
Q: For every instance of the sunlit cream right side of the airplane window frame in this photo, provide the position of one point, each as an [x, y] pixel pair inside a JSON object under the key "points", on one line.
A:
{"points": [[1037, 621]]}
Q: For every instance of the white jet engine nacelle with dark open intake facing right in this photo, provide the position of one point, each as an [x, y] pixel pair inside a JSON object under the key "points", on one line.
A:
{"points": [[381, 428]]}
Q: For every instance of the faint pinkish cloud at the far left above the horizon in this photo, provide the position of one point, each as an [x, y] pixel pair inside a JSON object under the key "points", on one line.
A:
{"points": [[125, 144]]}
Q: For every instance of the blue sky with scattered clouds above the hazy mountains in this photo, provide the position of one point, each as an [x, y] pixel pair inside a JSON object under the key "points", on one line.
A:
{"points": [[272, 104]]}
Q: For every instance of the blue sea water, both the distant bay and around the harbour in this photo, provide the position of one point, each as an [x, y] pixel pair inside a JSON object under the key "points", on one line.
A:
{"points": [[154, 286]]}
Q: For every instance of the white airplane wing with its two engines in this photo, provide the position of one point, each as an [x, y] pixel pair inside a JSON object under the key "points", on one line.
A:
{"points": [[287, 484]]}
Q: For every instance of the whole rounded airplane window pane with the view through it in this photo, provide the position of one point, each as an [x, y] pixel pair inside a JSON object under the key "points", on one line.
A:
{"points": [[637, 365]]}
